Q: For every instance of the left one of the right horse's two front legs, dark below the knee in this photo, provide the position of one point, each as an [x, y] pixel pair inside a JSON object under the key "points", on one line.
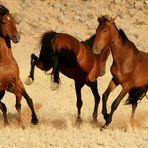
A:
{"points": [[112, 85]]}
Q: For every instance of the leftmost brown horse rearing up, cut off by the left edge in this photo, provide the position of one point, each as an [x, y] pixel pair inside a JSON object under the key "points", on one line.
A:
{"points": [[9, 71]]}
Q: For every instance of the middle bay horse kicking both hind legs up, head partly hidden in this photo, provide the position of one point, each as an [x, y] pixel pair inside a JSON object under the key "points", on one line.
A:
{"points": [[75, 59]]}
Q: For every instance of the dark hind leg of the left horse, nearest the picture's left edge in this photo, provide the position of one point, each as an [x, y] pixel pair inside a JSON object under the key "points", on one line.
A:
{"points": [[3, 108]]}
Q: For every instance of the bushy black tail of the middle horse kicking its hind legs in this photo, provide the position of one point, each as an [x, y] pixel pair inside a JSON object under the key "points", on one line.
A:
{"points": [[47, 51]]}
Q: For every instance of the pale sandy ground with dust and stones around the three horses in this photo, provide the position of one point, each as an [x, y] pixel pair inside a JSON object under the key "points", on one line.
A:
{"points": [[56, 110]]}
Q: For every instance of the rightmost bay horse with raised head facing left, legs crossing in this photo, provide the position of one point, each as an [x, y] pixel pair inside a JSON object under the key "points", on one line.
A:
{"points": [[129, 68]]}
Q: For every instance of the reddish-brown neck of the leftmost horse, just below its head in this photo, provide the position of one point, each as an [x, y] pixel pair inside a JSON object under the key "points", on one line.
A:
{"points": [[5, 49]]}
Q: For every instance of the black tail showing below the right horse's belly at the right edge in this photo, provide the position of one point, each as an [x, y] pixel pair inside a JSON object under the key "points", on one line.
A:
{"points": [[136, 94]]}
